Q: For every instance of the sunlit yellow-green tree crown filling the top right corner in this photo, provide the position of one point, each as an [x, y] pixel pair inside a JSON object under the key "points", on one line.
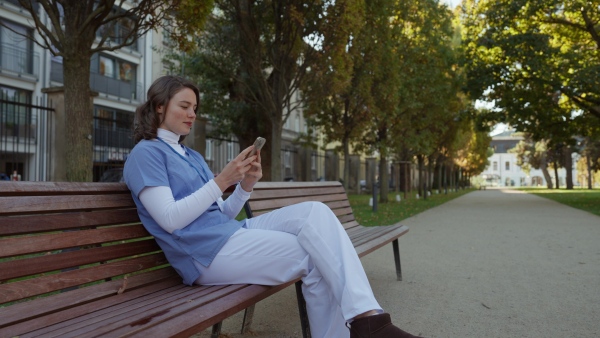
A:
{"points": [[537, 62]]}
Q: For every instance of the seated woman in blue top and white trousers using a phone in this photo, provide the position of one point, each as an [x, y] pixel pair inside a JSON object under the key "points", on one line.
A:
{"points": [[179, 202]]}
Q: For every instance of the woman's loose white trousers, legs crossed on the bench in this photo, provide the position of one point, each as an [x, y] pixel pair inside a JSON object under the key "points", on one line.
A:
{"points": [[304, 240]]}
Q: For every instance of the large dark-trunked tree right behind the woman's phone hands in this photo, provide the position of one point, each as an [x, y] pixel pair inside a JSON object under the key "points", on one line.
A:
{"points": [[261, 68]]}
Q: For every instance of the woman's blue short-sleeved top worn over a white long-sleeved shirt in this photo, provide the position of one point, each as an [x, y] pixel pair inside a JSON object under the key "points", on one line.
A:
{"points": [[154, 163]]}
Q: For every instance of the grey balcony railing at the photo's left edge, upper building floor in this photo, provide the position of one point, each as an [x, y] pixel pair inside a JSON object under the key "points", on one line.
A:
{"points": [[19, 60]]}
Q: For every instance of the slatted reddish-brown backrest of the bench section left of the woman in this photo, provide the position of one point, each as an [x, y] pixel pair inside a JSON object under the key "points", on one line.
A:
{"points": [[57, 236]]}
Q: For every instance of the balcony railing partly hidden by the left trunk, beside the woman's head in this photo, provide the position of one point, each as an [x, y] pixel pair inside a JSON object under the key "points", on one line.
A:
{"points": [[129, 91]]}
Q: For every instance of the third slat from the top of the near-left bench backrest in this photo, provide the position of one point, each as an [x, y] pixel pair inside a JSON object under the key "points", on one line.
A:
{"points": [[31, 224]]}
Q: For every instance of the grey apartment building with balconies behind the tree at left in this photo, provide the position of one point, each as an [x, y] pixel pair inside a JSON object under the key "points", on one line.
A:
{"points": [[28, 72]]}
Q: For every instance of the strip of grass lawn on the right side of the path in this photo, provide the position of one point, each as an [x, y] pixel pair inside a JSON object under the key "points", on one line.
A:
{"points": [[584, 199]]}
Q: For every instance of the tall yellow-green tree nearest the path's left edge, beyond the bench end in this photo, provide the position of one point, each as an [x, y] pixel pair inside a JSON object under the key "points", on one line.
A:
{"points": [[426, 87]]}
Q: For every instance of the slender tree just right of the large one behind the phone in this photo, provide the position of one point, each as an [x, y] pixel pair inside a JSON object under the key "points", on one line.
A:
{"points": [[337, 91]]}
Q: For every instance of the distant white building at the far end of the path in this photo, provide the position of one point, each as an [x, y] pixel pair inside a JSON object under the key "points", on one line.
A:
{"points": [[503, 170]]}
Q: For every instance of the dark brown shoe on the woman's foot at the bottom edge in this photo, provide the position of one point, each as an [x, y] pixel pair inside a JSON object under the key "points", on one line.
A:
{"points": [[377, 326]]}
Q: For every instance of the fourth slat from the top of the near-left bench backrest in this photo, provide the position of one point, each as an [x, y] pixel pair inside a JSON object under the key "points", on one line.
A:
{"points": [[56, 241]]}
